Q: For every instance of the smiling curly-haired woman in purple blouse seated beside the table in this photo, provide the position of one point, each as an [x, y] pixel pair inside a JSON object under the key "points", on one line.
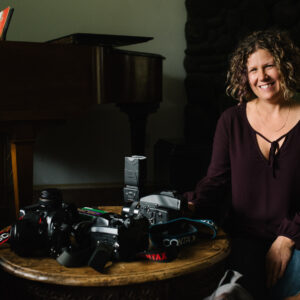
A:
{"points": [[256, 152]]}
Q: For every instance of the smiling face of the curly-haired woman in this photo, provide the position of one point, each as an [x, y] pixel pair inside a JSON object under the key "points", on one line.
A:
{"points": [[264, 76]]}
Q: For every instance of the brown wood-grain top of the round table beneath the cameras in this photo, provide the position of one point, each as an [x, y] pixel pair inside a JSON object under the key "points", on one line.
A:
{"points": [[199, 257]]}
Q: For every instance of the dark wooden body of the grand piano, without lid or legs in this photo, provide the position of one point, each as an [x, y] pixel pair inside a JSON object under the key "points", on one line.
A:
{"points": [[48, 81]]}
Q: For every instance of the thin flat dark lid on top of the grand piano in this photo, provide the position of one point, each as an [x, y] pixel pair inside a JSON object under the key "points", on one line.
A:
{"points": [[107, 40]]}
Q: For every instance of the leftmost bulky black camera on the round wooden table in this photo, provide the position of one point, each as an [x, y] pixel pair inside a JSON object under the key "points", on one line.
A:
{"points": [[43, 228]]}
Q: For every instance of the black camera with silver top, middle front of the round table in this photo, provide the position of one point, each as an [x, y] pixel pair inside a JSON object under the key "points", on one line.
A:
{"points": [[109, 237]]}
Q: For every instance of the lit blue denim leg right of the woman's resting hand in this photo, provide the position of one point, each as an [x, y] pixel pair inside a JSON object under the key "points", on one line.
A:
{"points": [[289, 284]]}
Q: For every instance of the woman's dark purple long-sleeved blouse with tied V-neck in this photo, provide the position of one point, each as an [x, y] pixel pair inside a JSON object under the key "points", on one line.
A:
{"points": [[265, 196]]}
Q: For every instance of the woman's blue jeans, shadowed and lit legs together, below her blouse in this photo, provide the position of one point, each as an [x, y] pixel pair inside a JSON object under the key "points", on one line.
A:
{"points": [[248, 257]]}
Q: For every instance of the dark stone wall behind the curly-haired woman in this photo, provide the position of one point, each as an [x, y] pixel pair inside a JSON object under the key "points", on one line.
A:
{"points": [[212, 31]]}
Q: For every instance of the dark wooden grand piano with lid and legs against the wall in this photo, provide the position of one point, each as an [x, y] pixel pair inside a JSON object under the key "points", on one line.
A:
{"points": [[53, 81]]}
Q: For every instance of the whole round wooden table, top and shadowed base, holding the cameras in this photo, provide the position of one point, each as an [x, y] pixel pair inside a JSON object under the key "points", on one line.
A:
{"points": [[193, 274]]}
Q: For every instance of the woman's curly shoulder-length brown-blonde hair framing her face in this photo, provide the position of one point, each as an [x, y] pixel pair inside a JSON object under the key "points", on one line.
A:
{"points": [[286, 57]]}
